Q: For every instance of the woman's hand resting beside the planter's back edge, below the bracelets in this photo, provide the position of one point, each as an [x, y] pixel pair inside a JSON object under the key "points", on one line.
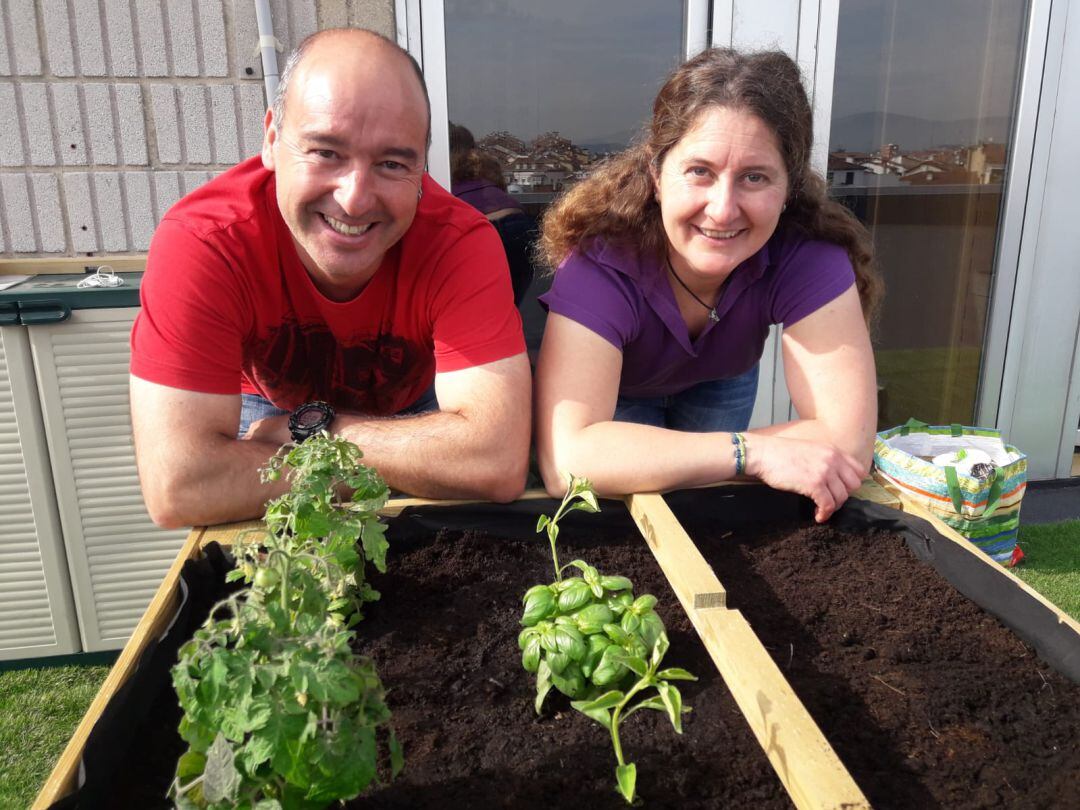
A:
{"points": [[819, 471]]}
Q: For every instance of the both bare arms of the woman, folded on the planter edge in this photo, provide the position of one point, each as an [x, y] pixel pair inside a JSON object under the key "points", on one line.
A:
{"points": [[577, 384]]}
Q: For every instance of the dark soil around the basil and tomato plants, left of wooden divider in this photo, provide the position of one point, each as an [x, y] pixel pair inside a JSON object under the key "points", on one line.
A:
{"points": [[444, 640]]}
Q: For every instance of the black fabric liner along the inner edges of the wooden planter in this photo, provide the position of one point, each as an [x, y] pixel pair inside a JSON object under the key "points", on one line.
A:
{"points": [[732, 508]]}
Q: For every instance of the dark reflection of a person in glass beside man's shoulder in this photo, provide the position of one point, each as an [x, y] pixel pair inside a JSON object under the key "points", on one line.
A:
{"points": [[477, 179]]}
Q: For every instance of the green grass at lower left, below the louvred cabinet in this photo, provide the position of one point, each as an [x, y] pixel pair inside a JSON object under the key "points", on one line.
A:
{"points": [[39, 710]]}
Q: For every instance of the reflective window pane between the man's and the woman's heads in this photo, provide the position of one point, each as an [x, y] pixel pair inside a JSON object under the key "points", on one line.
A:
{"points": [[545, 90]]}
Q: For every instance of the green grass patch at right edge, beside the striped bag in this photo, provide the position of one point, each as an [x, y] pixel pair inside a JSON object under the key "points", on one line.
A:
{"points": [[1052, 563]]}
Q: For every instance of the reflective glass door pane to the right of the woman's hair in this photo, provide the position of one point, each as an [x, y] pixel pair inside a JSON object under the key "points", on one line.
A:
{"points": [[923, 111]]}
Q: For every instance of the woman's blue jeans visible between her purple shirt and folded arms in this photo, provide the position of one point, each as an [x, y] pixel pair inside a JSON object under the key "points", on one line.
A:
{"points": [[714, 406]]}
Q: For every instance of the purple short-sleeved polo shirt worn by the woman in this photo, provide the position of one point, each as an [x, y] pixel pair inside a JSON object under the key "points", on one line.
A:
{"points": [[627, 300]]}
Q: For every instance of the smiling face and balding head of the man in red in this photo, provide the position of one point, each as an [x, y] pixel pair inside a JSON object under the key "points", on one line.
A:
{"points": [[348, 157]]}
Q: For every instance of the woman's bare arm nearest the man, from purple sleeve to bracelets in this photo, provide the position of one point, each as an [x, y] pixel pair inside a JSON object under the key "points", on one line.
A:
{"points": [[576, 388]]}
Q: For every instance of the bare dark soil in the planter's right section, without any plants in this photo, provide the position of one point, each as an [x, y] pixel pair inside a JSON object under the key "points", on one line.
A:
{"points": [[928, 700]]}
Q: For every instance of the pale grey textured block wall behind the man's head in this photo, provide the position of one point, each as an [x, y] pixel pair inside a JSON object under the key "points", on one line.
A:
{"points": [[113, 110]]}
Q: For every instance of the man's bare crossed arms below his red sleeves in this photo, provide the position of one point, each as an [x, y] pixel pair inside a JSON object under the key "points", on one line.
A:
{"points": [[195, 471]]}
